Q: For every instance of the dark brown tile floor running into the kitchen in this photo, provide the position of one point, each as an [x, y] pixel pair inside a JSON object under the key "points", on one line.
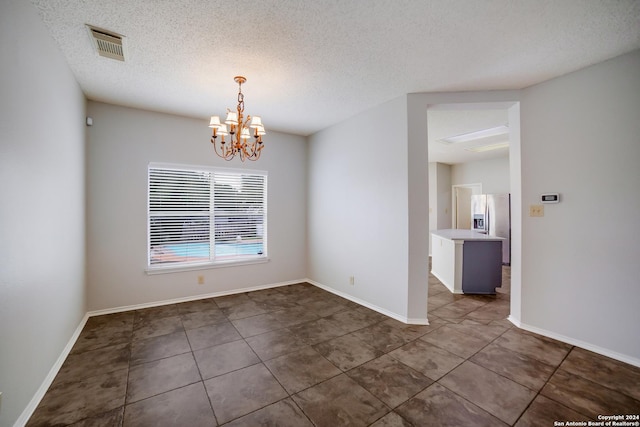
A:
{"points": [[300, 356]]}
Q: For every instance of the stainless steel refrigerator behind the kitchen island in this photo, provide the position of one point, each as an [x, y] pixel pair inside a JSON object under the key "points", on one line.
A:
{"points": [[491, 214]]}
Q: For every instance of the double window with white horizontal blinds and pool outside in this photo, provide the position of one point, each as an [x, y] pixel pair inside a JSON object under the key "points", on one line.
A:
{"points": [[204, 216]]}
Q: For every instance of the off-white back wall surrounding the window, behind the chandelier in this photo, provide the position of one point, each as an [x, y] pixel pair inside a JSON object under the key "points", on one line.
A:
{"points": [[121, 143]]}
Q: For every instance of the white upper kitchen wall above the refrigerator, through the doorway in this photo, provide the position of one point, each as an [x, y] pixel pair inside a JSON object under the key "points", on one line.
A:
{"points": [[493, 174]]}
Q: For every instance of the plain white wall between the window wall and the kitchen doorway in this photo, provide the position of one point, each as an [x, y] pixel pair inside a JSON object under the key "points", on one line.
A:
{"points": [[357, 212]]}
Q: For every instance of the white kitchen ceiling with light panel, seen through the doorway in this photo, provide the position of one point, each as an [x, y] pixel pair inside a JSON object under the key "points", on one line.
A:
{"points": [[468, 121]]}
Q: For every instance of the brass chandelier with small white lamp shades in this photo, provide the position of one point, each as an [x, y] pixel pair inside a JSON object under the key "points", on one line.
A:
{"points": [[241, 131]]}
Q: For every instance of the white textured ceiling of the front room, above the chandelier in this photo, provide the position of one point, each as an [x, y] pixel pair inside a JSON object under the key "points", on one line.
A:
{"points": [[310, 64]]}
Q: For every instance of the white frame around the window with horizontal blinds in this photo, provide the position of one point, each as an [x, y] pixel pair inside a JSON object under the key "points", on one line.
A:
{"points": [[212, 212]]}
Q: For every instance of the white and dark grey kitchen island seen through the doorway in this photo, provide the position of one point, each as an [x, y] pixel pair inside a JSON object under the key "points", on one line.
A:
{"points": [[467, 261]]}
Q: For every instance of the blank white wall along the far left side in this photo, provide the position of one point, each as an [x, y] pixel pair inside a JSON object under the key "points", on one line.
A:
{"points": [[42, 223]]}
